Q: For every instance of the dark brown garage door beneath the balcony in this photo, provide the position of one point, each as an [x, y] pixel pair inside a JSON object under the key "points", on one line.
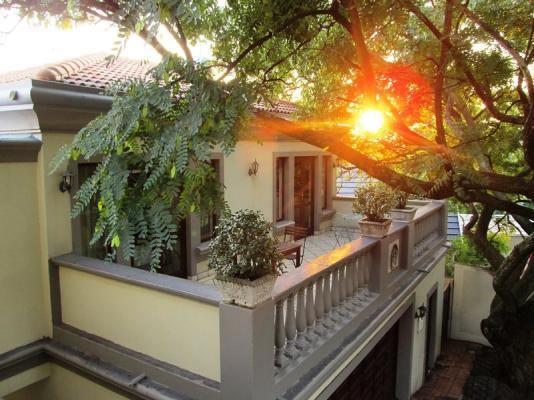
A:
{"points": [[375, 376]]}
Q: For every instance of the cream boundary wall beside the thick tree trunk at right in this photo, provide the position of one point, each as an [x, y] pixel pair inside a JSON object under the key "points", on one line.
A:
{"points": [[472, 297]]}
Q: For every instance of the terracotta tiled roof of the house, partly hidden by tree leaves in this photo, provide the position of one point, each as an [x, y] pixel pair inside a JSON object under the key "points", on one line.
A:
{"points": [[95, 71]]}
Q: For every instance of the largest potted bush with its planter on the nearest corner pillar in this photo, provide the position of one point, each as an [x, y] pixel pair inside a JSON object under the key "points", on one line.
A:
{"points": [[245, 257]]}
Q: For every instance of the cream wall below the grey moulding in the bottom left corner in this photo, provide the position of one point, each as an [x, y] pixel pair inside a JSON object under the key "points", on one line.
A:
{"points": [[65, 385]]}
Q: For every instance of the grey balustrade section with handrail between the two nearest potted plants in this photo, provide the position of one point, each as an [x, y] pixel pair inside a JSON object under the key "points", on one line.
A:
{"points": [[335, 293]]}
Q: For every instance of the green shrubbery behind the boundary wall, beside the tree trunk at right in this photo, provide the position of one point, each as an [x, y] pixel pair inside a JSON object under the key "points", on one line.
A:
{"points": [[463, 251]]}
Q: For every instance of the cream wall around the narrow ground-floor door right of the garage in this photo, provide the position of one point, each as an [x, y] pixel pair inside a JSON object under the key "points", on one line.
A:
{"points": [[437, 275]]}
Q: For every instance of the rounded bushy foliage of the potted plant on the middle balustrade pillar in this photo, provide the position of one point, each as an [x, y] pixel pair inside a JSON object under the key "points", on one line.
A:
{"points": [[373, 201]]}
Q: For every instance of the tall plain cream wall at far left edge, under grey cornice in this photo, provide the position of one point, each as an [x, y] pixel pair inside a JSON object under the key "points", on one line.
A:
{"points": [[22, 318]]}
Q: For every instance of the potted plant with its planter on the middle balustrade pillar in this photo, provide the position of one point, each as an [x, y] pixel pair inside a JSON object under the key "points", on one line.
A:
{"points": [[373, 202]]}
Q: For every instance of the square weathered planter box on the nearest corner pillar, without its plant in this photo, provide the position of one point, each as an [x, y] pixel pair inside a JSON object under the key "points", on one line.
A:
{"points": [[244, 292]]}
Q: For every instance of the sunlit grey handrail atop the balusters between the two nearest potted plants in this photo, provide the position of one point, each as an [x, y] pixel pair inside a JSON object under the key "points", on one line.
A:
{"points": [[298, 278]]}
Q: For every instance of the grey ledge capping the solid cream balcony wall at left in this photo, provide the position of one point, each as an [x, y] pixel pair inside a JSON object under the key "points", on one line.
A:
{"points": [[163, 283]]}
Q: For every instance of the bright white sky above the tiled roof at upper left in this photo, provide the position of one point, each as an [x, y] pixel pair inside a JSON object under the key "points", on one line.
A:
{"points": [[25, 44]]}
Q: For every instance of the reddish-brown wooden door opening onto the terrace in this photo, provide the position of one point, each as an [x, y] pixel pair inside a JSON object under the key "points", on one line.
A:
{"points": [[304, 192]]}
